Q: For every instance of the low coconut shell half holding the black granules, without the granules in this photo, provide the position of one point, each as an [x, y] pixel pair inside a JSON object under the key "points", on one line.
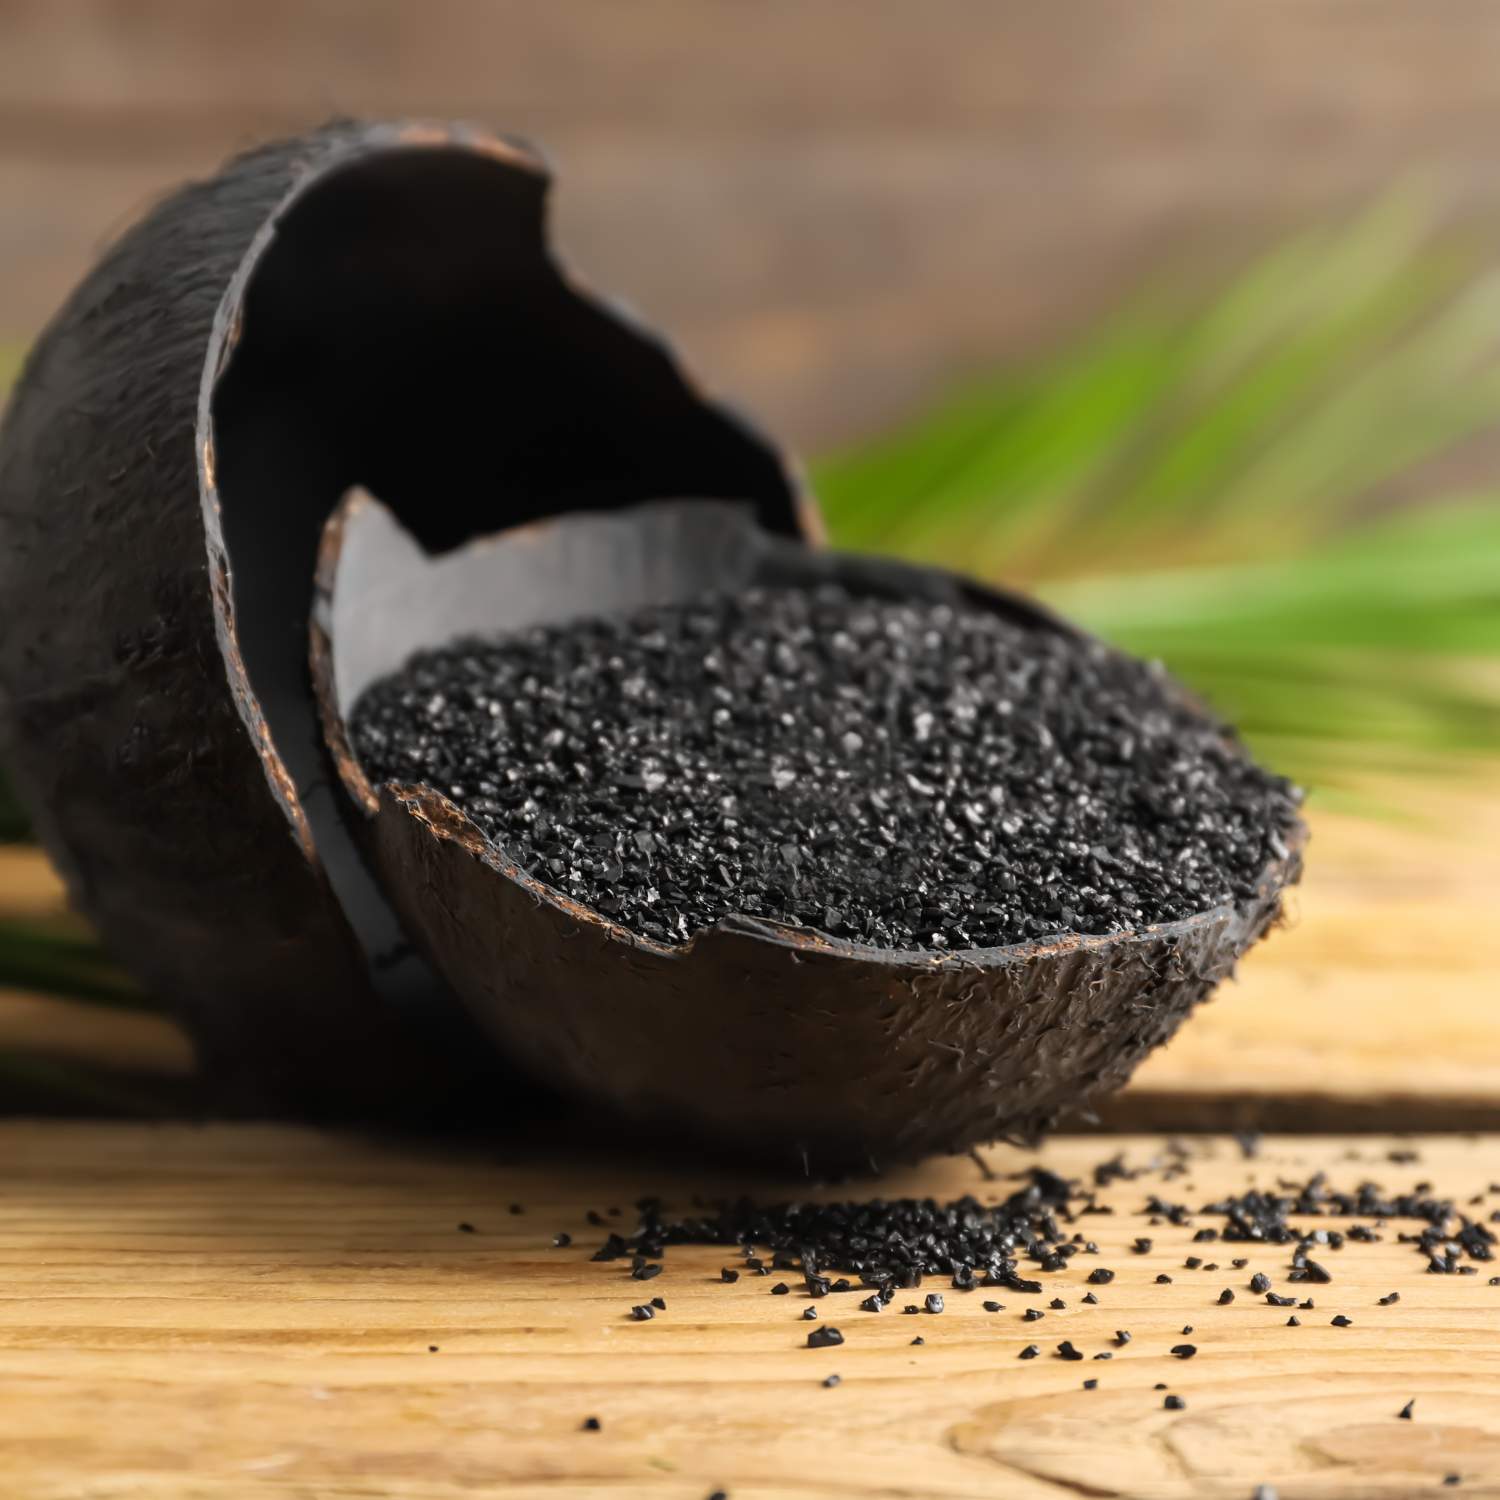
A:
{"points": [[757, 1037]]}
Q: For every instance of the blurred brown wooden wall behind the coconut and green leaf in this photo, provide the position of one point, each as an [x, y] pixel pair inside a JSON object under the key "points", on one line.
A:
{"points": [[833, 205]]}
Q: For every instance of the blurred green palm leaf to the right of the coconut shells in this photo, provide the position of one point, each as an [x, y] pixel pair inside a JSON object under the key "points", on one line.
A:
{"points": [[1238, 488]]}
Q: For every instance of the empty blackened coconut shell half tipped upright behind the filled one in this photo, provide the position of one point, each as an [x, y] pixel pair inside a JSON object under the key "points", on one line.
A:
{"points": [[371, 304]]}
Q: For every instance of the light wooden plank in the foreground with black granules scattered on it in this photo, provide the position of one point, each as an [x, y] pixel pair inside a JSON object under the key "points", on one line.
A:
{"points": [[248, 1312]]}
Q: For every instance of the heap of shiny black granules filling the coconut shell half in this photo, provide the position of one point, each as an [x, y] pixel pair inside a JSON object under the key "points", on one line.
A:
{"points": [[904, 775]]}
